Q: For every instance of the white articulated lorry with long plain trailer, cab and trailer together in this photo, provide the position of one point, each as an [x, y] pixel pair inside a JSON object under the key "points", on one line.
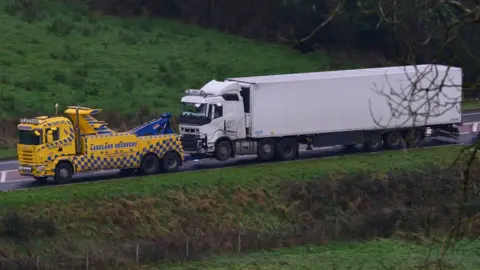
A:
{"points": [[271, 115]]}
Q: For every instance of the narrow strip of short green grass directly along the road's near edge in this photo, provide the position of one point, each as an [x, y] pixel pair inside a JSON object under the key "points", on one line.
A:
{"points": [[246, 177]]}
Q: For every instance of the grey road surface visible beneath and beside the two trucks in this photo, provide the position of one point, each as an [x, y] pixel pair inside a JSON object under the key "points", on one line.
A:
{"points": [[11, 180]]}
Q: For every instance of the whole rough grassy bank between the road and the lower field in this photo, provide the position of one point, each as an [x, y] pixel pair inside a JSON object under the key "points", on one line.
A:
{"points": [[194, 214]]}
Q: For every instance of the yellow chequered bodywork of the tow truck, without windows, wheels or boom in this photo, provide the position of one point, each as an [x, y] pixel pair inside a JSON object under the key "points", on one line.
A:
{"points": [[98, 151]]}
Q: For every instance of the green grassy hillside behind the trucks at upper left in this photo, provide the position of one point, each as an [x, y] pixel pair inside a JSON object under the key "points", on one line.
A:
{"points": [[53, 52]]}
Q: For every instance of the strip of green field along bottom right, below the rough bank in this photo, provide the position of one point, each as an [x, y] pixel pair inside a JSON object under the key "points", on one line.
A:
{"points": [[381, 254]]}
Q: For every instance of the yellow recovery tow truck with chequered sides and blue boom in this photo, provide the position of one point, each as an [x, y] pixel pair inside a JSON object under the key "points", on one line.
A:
{"points": [[59, 147]]}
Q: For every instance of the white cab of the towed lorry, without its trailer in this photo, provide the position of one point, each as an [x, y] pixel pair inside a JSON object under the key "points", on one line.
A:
{"points": [[213, 120]]}
